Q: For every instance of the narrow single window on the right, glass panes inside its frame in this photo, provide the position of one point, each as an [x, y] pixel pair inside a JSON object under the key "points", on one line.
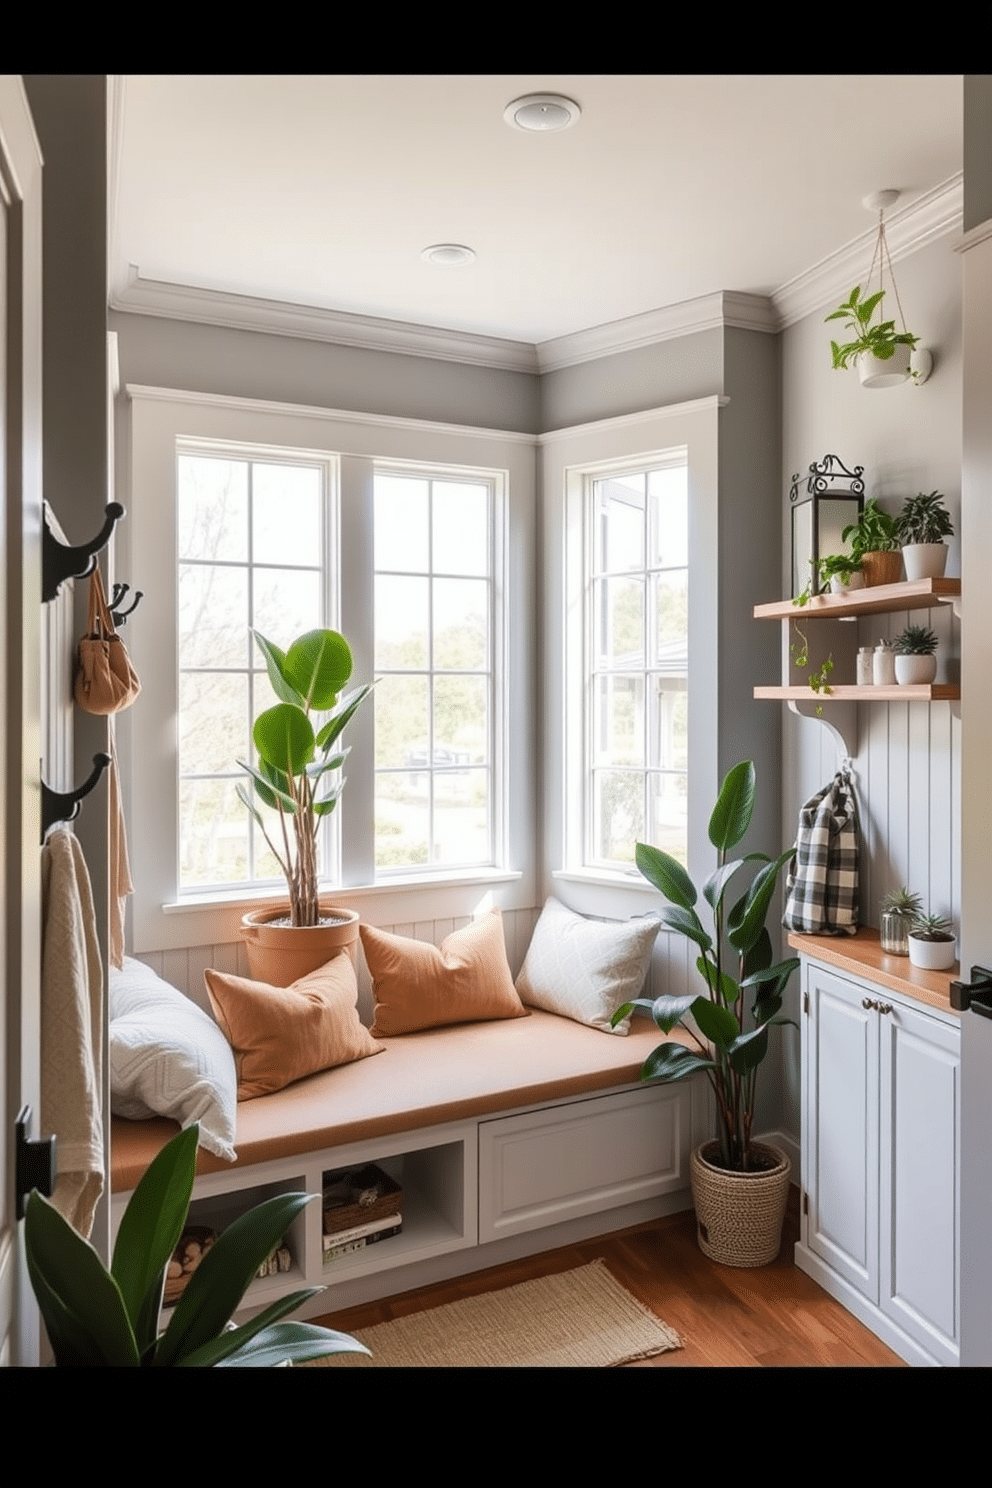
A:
{"points": [[637, 661]]}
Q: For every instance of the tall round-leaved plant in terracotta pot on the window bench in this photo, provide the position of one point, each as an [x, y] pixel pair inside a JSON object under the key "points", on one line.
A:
{"points": [[298, 779]]}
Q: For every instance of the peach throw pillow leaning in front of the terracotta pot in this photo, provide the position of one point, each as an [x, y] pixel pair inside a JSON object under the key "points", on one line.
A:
{"points": [[280, 1035]]}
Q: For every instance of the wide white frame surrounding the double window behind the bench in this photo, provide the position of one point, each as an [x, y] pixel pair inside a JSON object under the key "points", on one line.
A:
{"points": [[152, 423]]}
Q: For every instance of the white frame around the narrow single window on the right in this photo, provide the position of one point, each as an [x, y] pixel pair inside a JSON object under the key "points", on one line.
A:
{"points": [[570, 458]]}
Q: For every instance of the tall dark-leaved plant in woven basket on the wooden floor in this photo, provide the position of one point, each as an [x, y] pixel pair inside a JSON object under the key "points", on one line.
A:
{"points": [[740, 1187]]}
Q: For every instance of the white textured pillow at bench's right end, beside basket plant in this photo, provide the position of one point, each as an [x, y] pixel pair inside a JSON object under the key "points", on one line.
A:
{"points": [[585, 969]]}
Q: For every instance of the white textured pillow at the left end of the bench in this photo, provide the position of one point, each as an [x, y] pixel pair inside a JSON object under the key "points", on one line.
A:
{"points": [[170, 1059]]}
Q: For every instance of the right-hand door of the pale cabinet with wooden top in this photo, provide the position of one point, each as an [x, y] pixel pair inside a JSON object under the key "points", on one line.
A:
{"points": [[920, 1164]]}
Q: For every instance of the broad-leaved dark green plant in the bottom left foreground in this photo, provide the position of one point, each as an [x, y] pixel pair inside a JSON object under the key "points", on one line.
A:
{"points": [[112, 1319]]}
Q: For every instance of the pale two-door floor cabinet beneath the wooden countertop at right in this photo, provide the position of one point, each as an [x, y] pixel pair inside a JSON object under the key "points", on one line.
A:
{"points": [[881, 1160]]}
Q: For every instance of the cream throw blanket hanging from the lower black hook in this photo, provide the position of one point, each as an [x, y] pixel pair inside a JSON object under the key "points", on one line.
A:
{"points": [[72, 1029]]}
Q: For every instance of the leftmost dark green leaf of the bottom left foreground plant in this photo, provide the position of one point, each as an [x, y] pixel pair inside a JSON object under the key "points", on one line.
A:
{"points": [[75, 1292]]}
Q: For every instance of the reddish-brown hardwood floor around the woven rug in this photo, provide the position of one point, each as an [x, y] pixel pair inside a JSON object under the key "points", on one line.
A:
{"points": [[774, 1316]]}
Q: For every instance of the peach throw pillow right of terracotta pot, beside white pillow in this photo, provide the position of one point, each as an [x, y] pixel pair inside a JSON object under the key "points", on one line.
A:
{"points": [[420, 986]]}
